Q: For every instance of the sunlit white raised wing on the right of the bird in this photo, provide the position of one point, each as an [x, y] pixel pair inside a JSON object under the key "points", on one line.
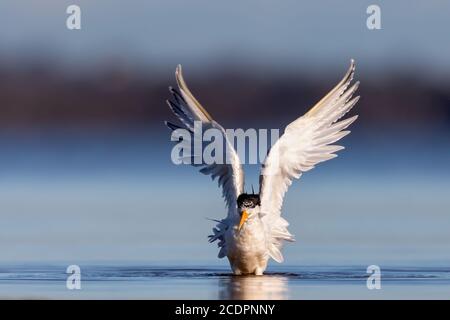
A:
{"points": [[306, 142]]}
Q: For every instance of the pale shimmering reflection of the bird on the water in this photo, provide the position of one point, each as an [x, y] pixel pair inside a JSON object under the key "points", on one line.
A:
{"points": [[265, 287]]}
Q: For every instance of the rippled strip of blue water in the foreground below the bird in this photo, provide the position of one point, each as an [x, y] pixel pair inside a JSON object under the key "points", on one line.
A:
{"points": [[286, 282]]}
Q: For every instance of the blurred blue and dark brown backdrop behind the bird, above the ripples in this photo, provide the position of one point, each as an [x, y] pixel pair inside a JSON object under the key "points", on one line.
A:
{"points": [[85, 168]]}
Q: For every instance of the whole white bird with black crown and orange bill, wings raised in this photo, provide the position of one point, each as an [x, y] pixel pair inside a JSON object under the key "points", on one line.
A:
{"points": [[255, 231]]}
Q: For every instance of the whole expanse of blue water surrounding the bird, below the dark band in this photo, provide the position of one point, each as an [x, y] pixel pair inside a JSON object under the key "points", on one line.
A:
{"points": [[121, 199]]}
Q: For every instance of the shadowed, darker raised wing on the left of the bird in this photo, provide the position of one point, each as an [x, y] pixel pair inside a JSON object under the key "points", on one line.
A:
{"points": [[188, 110]]}
